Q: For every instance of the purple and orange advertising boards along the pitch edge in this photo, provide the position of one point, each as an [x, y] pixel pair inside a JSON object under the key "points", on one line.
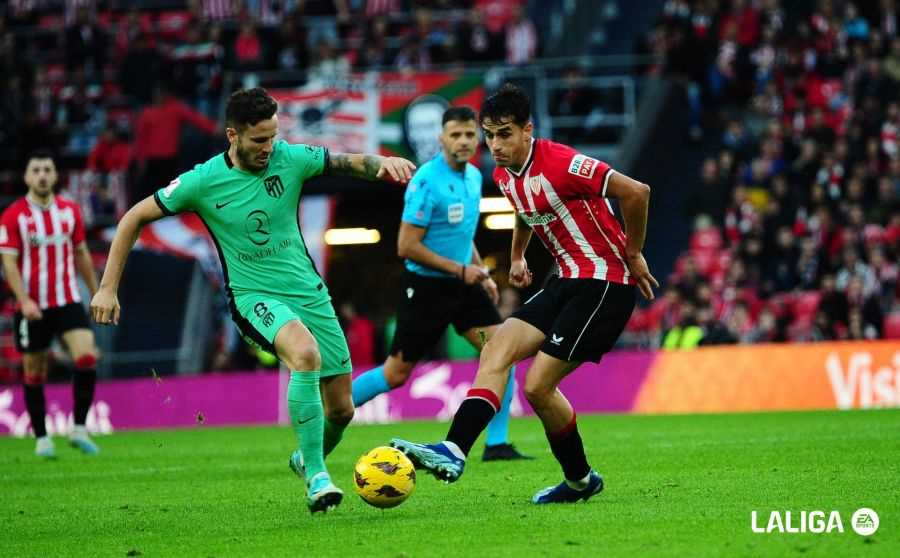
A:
{"points": [[717, 379]]}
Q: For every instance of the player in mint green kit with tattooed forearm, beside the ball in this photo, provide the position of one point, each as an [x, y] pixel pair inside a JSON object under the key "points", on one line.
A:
{"points": [[248, 198]]}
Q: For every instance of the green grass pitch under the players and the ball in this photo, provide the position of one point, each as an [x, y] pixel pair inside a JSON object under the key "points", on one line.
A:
{"points": [[675, 486]]}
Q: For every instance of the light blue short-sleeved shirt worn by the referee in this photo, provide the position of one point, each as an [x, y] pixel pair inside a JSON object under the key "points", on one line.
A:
{"points": [[445, 202]]}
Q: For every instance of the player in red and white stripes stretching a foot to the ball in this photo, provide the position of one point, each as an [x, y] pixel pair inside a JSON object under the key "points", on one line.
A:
{"points": [[559, 195]]}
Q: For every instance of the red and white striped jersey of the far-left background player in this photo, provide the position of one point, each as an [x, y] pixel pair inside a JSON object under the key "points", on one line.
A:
{"points": [[44, 238]]}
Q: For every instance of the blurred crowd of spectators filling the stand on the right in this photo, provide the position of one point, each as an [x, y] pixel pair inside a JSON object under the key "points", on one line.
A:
{"points": [[797, 209]]}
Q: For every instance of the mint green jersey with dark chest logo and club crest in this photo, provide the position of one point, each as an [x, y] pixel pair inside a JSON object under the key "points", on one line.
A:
{"points": [[253, 219]]}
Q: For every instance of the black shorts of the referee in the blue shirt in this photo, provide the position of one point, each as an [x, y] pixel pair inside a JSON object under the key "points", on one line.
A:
{"points": [[429, 304]]}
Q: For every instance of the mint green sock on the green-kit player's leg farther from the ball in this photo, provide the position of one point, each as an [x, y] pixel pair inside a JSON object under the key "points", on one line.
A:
{"points": [[308, 419]]}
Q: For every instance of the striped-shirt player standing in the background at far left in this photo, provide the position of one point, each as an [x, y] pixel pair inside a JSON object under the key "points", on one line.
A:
{"points": [[42, 242]]}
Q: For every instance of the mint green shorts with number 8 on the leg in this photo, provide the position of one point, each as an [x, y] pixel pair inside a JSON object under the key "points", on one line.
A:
{"points": [[260, 316]]}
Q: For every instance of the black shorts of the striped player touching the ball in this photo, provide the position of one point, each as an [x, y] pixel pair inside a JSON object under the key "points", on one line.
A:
{"points": [[582, 318]]}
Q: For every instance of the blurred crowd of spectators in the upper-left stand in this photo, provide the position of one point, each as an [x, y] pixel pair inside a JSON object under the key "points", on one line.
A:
{"points": [[86, 78]]}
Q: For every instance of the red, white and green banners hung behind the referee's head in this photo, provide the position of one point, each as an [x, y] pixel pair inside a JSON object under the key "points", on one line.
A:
{"points": [[396, 114]]}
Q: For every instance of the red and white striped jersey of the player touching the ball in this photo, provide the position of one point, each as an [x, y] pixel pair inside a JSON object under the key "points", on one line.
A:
{"points": [[561, 193]]}
